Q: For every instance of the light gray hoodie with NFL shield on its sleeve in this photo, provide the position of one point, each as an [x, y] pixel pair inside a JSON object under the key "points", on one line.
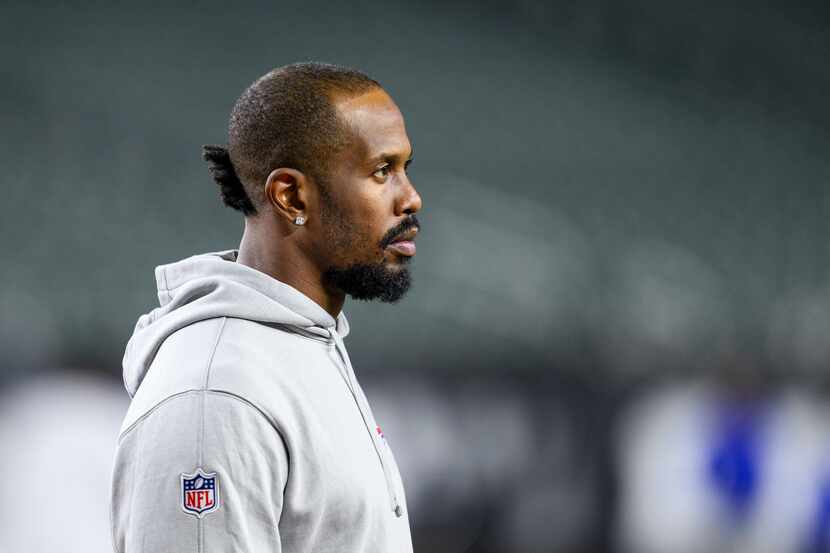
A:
{"points": [[248, 431]]}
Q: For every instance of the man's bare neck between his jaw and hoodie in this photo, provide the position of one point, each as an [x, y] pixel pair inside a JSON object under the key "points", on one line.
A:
{"points": [[277, 256]]}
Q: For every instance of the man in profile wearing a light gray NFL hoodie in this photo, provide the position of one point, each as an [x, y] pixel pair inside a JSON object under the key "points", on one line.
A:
{"points": [[248, 430]]}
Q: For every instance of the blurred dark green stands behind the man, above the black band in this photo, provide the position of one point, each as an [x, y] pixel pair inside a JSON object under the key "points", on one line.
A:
{"points": [[564, 152]]}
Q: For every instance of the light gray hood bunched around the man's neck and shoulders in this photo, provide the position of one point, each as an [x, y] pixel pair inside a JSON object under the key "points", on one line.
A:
{"points": [[213, 285]]}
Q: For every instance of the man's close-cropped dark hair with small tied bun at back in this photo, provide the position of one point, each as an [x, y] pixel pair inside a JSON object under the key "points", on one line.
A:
{"points": [[286, 118]]}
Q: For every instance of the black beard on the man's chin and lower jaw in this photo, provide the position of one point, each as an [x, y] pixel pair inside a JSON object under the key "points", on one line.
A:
{"points": [[366, 282]]}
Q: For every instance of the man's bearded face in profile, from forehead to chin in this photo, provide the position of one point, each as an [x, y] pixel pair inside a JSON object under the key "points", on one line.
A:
{"points": [[368, 203]]}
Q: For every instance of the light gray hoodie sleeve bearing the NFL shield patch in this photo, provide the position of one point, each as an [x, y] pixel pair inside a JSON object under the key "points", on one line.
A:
{"points": [[203, 472]]}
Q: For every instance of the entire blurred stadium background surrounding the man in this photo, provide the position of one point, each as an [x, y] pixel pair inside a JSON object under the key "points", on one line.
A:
{"points": [[617, 340]]}
